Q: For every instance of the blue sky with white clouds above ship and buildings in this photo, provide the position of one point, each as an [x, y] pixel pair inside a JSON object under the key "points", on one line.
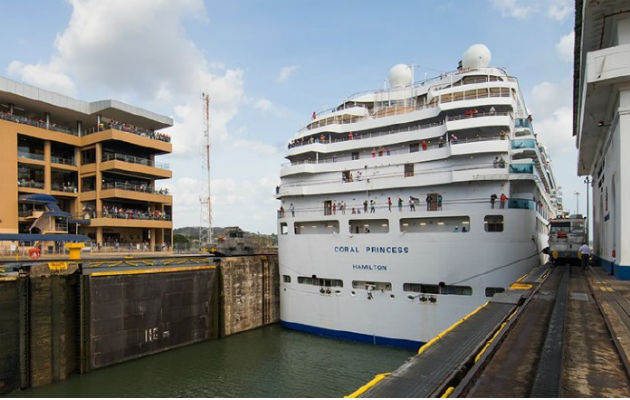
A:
{"points": [[267, 65]]}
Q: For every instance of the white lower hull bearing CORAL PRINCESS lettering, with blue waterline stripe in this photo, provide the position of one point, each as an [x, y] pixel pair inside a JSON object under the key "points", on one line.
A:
{"points": [[379, 300]]}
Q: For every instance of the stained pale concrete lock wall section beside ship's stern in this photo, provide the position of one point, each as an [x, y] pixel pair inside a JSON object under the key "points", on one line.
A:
{"points": [[250, 294]]}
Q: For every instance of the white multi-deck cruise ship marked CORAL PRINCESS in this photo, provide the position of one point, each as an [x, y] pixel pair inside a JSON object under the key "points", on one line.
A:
{"points": [[406, 208]]}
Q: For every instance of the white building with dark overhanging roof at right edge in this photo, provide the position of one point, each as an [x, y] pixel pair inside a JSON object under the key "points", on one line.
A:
{"points": [[601, 105]]}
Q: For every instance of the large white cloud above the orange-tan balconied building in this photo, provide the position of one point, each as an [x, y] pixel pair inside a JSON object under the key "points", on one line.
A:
{"points": [[141, 52]]}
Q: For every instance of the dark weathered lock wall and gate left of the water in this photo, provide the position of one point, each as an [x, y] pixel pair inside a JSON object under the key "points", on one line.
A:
{"points": [[63, 317]]}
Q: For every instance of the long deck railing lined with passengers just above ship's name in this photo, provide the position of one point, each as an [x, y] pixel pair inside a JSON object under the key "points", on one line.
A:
{"points": [[409, 204]]}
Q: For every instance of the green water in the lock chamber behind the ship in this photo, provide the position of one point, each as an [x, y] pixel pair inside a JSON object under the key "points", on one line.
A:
{"points": [[267, 362]]}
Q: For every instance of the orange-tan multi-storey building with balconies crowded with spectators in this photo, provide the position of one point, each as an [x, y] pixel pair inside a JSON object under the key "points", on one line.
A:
{"points": [[97, 159]]}
